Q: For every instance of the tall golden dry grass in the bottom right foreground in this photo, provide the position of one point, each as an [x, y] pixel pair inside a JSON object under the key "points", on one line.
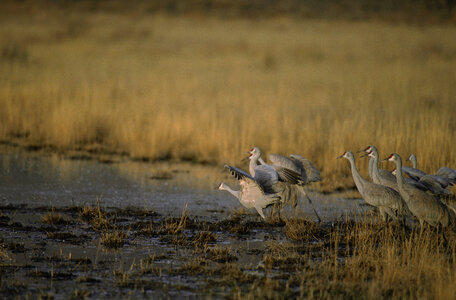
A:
{"points": [[358, 261]]}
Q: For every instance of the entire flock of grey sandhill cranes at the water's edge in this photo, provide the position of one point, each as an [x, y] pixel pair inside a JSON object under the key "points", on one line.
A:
{"points": [[422, 196]]}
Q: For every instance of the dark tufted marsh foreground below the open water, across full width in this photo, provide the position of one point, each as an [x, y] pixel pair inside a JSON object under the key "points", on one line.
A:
{"points": [[240, 257]]}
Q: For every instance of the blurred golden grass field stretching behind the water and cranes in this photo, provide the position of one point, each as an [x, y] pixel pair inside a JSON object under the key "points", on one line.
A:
{"points": [[207, 89]]}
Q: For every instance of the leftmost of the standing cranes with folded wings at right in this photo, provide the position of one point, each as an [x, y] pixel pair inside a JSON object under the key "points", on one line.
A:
{"points": [[387, 200]]}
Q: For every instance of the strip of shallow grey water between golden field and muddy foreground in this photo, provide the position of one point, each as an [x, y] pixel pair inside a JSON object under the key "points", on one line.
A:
{"points": [[49, 180]]}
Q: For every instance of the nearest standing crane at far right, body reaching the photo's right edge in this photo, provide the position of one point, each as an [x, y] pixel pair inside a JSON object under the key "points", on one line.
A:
{"points": [[423, 205]]}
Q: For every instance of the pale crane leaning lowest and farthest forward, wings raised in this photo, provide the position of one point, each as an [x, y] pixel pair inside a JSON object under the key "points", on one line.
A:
{"points": [[252, 193]]}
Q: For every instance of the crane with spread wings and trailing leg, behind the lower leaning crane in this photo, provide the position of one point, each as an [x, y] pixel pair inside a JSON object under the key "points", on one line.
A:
{"points": [[296, 171]]}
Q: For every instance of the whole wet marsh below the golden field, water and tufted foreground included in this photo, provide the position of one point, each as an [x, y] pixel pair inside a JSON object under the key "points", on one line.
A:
{"points": [[143, 231]]}
